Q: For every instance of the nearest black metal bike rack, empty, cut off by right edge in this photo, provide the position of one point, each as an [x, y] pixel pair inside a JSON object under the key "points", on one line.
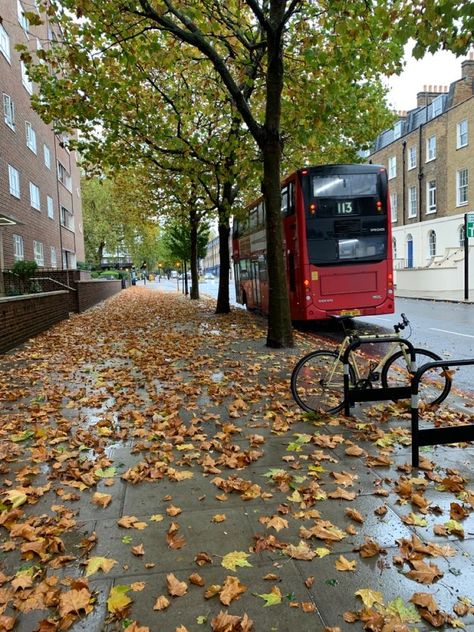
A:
{"points": [[434, 436]]}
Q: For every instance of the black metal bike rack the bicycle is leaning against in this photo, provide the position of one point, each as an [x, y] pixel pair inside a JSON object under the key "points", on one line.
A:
{"points": [[353, 394]]}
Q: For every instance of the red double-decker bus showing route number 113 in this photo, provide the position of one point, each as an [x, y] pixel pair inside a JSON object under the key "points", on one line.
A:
{"points": [[337, 244]]}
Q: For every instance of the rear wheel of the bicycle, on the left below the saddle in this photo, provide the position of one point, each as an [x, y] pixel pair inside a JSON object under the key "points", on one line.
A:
{"points": [[317, 382]]}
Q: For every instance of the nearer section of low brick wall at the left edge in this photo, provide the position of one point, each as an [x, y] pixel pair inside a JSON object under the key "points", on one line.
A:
{"points": [[22, 317]]}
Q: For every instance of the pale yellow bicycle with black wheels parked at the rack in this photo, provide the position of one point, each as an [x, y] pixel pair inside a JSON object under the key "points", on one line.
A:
{"points": [[317, 381]]}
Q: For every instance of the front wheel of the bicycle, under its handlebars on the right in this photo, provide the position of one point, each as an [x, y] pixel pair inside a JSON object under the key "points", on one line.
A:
{"points": [[435, 384]]}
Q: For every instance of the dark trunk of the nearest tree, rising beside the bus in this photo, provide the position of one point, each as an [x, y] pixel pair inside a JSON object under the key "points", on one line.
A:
{"points": [[279, 332]]}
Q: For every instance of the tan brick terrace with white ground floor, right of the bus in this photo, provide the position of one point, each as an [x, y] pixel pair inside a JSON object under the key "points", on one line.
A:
{"points": [[429, 156]]}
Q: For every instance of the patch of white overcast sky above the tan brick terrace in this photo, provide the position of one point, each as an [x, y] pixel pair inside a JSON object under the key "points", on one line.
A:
{"points": [[442, 68]]}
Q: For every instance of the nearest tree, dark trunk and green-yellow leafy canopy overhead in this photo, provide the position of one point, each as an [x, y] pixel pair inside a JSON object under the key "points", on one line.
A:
{"points": [[296, 73]]}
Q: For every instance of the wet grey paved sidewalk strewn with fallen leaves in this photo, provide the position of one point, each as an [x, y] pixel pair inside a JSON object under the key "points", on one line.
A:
{"points": [[156, 475]]}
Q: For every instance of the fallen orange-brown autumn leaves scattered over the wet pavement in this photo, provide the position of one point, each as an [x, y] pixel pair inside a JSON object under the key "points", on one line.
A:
{"points": [[38, 433]]}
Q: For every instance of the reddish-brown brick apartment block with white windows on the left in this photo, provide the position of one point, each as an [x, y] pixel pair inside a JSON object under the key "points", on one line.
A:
{"points": [[40, 203]]}
